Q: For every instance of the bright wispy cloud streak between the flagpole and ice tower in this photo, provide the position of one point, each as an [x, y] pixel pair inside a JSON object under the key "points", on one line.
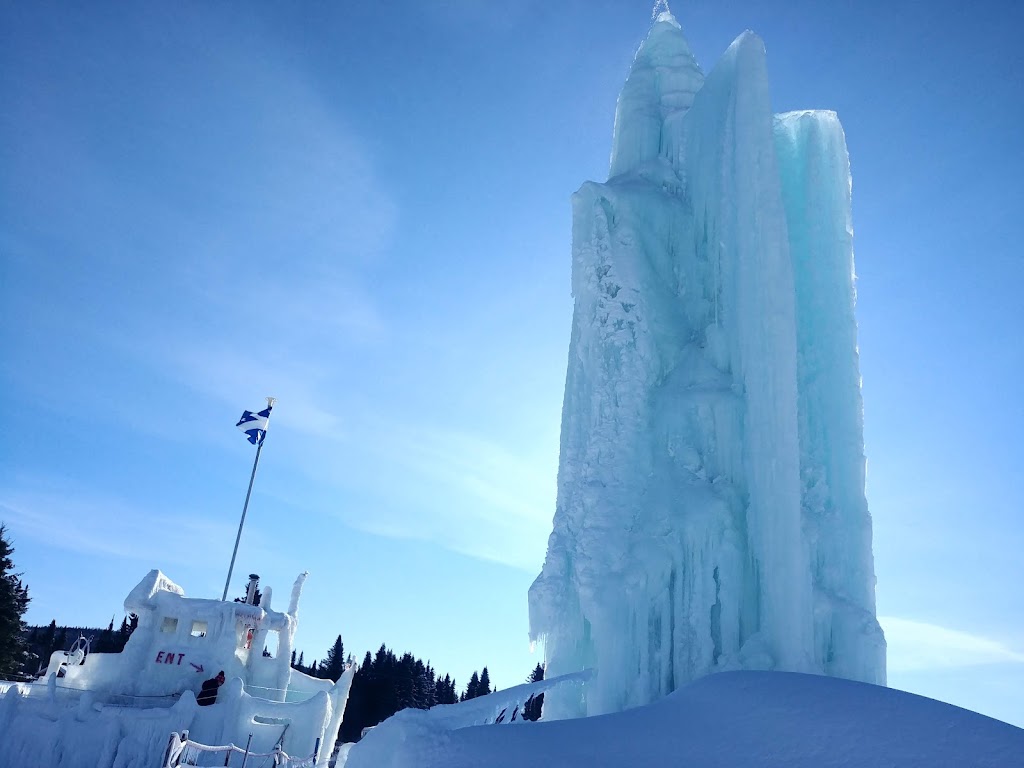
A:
{"points": [[414, 481]]}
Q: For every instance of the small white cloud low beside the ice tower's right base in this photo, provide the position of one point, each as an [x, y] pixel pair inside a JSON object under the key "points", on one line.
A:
{"points": [[918, 646]]}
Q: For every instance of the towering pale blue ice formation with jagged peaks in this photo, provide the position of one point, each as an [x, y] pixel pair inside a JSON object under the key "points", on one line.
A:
{"points": [[711, 510]]}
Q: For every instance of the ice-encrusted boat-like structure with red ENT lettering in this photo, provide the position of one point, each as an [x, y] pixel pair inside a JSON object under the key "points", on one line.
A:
{"points": [[119, 710]]}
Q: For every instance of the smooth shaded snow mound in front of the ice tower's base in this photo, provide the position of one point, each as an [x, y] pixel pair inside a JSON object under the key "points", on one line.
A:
{"points": [[730, 719]]}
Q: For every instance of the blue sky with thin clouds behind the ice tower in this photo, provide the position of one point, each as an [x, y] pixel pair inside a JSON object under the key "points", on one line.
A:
{"points": [[363, 210]]}
